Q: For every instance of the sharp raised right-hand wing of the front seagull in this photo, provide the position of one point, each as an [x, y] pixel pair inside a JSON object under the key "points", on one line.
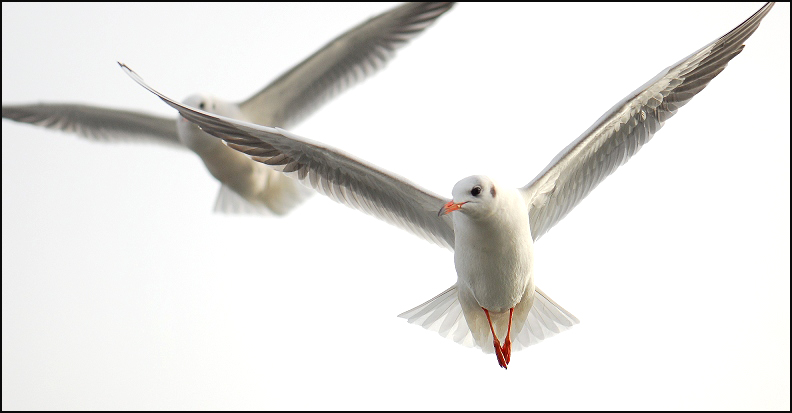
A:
{"points": [[621, 132]]}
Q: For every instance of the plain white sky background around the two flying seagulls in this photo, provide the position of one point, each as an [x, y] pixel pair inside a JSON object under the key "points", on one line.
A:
{"points": [[121, 289]]}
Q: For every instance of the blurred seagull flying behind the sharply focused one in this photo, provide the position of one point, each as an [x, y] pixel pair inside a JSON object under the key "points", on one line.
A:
{"points": [[250, 187]]}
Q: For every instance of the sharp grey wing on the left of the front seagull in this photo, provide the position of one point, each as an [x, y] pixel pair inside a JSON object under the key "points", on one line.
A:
{"points": [[345, 179]]}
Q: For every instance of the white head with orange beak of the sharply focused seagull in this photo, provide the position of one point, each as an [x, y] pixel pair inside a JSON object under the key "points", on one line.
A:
{"points": [[476, 196]]}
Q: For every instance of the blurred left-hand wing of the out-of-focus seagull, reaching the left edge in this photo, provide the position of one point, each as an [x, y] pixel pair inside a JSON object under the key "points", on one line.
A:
{"points": [[96, 123]]}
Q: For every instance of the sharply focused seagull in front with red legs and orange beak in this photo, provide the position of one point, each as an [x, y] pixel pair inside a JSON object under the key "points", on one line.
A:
{"points": [[490, 228]]}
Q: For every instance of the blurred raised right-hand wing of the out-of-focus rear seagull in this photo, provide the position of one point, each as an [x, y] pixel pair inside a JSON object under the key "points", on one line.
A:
{"points": [[346, 60]]}
